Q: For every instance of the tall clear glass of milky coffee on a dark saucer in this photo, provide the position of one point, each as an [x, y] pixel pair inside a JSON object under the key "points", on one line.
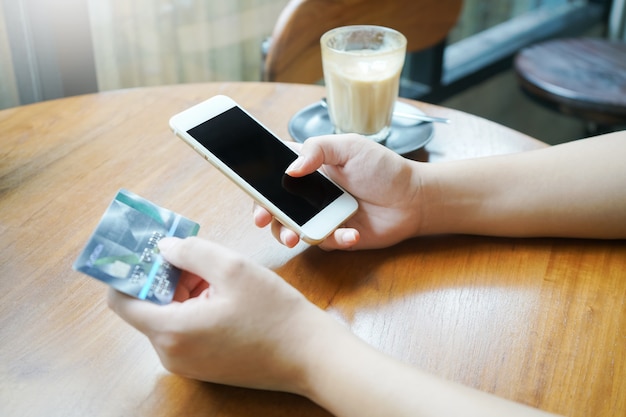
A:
{"points": [[362, 66]]}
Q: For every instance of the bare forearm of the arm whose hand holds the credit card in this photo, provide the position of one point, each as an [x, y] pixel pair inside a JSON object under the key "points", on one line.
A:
{"points": [[349, 378]]}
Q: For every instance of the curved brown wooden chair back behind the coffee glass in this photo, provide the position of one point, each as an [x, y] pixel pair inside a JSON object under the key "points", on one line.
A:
{"points": [[294, 52]]}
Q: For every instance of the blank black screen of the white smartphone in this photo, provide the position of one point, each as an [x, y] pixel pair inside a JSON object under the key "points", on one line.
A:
{"points": [[258, 157]]}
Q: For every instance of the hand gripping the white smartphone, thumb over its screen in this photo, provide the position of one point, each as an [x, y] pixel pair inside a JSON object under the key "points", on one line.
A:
{"points": [[386, 186]]}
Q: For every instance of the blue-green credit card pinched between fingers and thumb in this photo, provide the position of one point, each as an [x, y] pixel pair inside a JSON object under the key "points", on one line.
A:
{"points": [[123, 253]]}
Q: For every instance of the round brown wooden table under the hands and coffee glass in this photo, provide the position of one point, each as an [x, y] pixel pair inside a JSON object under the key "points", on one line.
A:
{"points": [[540, 321]]}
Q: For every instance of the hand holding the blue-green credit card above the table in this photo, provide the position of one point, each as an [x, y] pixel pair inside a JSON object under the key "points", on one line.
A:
{"points": [[232, 321]]}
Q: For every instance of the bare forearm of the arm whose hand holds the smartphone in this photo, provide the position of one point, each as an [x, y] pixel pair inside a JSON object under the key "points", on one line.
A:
{"points": [[576, 189]]}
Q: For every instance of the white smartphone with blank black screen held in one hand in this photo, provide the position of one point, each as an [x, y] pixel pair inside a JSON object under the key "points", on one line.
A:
{"points": [[255, 159]]}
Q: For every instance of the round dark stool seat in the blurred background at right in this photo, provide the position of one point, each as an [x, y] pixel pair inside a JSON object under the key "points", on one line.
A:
{"points": [[581, 77]]}
